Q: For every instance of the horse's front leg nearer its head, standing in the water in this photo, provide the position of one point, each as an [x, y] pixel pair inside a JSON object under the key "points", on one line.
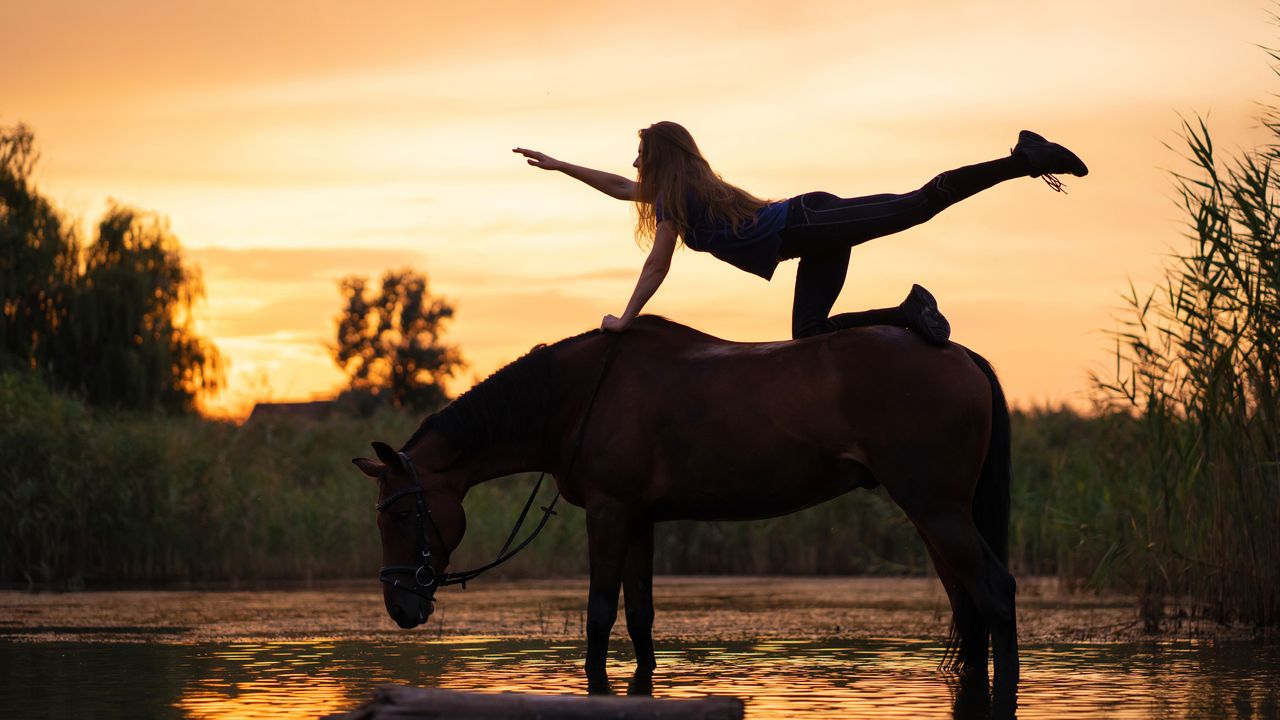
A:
{"points": [[607, 536]]}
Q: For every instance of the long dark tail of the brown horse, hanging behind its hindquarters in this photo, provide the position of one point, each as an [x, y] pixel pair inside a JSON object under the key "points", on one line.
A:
{"points": [[990, 513]]}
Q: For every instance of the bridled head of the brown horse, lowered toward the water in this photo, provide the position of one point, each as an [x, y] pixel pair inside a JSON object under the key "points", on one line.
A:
{"points": [[422, 523]]}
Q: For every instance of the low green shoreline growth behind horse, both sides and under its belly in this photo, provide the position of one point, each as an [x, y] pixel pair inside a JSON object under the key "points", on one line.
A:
{"points": [[98, 500]]}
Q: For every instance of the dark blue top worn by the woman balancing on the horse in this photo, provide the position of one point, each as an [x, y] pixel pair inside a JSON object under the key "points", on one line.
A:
{"points": [[753, 249]]}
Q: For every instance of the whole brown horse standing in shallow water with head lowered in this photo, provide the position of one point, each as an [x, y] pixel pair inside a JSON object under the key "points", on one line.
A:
{"points": [[688, 427]]}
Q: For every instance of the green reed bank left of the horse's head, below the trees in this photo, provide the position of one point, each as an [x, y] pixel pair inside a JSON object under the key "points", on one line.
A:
{"points": [[93, 496]]}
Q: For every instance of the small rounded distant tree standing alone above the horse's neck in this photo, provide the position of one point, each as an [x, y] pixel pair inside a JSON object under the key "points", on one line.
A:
{"points": [[391, 343]]}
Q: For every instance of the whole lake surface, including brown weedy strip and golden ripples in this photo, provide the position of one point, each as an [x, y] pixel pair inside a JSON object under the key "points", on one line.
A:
{"points": [[811, 649]]}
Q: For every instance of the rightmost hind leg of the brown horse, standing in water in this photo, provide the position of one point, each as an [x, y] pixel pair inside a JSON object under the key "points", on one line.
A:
{"points": [[952, 534]]}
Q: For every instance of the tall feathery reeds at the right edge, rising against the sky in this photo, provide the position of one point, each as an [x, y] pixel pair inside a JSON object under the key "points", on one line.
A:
{"points": [[1199, 366]]}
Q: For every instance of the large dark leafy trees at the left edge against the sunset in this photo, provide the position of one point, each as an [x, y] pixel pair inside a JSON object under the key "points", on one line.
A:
{"points": [[112, 322]]}
